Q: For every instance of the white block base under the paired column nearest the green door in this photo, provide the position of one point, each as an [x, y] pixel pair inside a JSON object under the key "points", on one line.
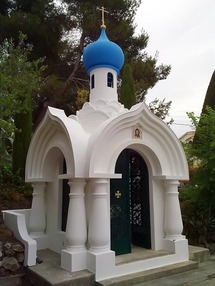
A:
{"points": [[101, 263]]}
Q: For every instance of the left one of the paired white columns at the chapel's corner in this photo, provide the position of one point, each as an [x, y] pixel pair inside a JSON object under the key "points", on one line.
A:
{"points": [[76, 228]]}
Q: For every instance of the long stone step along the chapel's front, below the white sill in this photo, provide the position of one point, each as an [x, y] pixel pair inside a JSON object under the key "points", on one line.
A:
{"points": [[148, 275]]}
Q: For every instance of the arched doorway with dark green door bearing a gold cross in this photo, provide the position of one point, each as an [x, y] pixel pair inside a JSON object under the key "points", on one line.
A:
{"points": [[129, 203]]}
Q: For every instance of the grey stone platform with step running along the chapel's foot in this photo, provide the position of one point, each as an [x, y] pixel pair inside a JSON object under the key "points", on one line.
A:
{"points": [[49, 272]]}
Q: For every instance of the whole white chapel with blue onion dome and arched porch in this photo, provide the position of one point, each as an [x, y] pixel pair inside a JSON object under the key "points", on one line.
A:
{"points": [[105, 181]]}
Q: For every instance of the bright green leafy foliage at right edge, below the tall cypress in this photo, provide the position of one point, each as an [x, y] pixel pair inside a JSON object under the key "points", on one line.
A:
{"points": [[203, 151]]}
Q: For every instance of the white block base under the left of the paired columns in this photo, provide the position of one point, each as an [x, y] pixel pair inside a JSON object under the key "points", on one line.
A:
{"points": [[73, 260]]}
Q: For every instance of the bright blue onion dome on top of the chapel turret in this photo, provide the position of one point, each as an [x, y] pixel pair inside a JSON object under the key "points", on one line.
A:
{"points": [[103, 53]]}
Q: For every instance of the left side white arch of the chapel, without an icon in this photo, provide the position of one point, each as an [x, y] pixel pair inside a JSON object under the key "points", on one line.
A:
{"points": [[56, 132]]}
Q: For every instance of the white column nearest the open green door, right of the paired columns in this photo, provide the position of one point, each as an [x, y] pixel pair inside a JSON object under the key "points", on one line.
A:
{"points": [[98, 234]]}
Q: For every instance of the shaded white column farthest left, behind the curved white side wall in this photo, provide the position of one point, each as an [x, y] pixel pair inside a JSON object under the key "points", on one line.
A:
{"points": [[37, 220]]}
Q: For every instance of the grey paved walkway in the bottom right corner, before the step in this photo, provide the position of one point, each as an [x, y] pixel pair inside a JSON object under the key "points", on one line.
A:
{"points": [[203, 276]]}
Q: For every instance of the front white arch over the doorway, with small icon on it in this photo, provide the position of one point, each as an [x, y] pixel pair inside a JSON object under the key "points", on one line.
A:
{"points": [[159, 145]]}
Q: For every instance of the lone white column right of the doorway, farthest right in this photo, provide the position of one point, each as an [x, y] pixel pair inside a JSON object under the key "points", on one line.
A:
{"points": [[173, 225]]}
